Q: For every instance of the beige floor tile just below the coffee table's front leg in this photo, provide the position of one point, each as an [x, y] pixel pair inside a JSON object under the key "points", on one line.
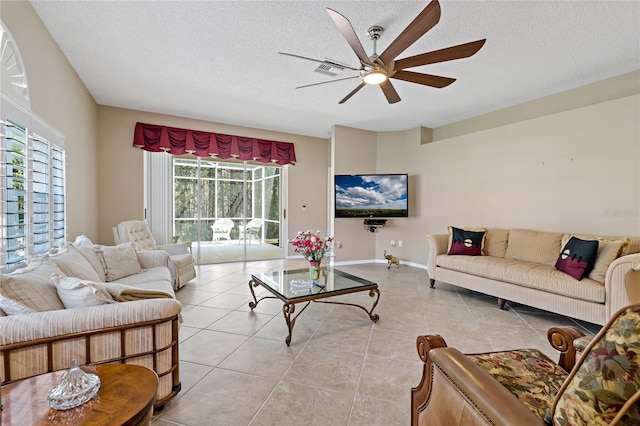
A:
{"points": [[331, 369]]}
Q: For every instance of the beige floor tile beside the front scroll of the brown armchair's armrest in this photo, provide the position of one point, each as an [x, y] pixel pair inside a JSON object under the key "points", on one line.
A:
{"points": [[389, 379]]}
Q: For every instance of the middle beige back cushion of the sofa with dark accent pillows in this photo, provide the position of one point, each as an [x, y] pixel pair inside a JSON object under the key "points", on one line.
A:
{"points": [[534, 246]]}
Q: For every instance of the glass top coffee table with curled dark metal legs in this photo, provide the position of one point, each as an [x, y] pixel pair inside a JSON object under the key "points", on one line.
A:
{"points": [[293, 287]]}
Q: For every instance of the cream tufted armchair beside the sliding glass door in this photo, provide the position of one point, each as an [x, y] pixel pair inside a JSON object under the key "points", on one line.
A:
{"points": [[180, 259]]}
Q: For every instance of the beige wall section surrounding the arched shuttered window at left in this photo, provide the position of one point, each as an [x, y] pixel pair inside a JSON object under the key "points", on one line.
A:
{"points": [[59, 97]]}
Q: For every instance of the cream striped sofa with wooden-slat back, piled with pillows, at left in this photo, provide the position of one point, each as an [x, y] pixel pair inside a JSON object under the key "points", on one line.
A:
{"points": [[136, 321]]}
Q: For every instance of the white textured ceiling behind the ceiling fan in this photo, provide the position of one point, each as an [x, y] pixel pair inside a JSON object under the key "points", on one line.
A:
{"points": [[218, 61]]}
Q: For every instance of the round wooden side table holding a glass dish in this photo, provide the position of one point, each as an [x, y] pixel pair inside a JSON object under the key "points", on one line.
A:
{"points": [[126, 397]]}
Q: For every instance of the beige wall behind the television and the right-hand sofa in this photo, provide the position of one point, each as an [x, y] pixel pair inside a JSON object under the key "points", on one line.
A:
{"points": [[573, 171]]}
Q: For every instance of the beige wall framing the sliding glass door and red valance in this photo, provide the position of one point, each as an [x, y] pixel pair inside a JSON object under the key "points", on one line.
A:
{"points": [[121, 169]]}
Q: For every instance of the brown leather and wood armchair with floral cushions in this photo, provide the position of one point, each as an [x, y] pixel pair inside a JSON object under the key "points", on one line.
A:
{"points": [[524, 387]]}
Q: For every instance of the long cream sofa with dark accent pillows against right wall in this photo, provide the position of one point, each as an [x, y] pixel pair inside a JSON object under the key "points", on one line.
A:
{"points": [[518, 265]]}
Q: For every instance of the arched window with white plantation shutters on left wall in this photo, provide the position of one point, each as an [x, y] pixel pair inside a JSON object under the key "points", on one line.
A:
{"points": [[32, 169]]}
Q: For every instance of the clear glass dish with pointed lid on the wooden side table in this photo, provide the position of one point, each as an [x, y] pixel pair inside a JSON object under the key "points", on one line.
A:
{"points": [[75, 388]]}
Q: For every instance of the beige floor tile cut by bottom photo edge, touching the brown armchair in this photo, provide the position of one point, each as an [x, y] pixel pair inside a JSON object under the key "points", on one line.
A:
{"points": [[377, 412]]}
